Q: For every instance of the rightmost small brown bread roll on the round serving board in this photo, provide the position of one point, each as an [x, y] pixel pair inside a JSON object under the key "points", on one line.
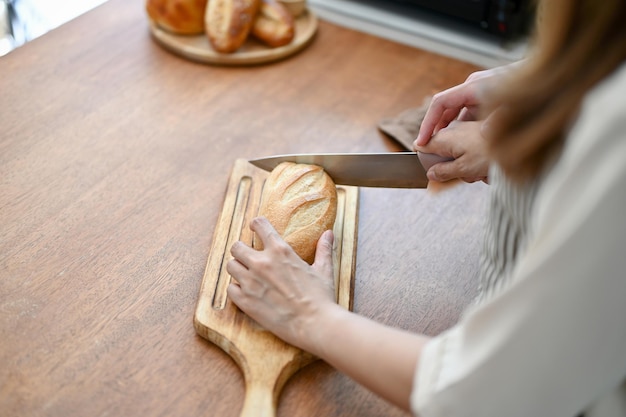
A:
{"points": [[274, 24]]}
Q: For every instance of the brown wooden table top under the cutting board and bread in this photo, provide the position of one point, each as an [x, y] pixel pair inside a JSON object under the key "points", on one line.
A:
{"points": [[114, 158]]}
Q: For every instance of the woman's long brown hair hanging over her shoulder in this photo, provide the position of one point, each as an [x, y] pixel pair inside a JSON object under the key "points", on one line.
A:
{"points": [[577, 44]]}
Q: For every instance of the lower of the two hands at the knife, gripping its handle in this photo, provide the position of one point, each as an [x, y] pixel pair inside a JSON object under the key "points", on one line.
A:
{"points": [[464, 142]]}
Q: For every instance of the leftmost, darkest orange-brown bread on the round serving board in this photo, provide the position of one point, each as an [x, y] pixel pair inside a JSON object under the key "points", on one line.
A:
{"points": [[182, 17]]}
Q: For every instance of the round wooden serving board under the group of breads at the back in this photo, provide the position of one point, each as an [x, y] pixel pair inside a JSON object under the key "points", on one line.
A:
{"points": [[198, 48]]}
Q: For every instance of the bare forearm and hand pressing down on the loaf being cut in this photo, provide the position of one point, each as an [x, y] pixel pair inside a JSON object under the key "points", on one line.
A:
{"points": [[296, 302]]}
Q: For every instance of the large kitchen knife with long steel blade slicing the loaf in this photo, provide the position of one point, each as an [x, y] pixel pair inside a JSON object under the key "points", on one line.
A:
{"points": [[390, 169]]}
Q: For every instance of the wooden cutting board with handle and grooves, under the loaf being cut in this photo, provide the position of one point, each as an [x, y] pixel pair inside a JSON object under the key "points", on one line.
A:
{"points": [[266, 361]]}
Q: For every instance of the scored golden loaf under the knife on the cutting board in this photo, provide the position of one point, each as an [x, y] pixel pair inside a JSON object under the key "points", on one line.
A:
{"points": [[300, 201]]}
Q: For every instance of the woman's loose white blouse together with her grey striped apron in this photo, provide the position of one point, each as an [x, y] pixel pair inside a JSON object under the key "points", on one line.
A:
{"points": [[547, 336]]}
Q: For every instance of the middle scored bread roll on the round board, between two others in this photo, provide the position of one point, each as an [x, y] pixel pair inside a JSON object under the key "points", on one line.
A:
{"points": [[228, 23]]}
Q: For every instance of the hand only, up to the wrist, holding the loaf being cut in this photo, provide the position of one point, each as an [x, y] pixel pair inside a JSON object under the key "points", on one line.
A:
{"points": [[278, 289]]}
